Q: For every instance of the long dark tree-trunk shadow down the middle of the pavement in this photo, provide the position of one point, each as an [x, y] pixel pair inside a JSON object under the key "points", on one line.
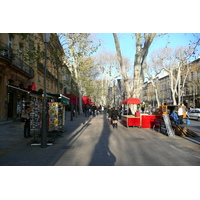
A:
{"points": [[102, 156]]}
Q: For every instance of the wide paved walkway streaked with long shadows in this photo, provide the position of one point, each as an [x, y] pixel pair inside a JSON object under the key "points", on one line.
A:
{"points": [[93, 142]]}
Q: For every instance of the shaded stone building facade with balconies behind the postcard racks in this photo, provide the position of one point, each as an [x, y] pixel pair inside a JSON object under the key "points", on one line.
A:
{"points": [[22, 69]]}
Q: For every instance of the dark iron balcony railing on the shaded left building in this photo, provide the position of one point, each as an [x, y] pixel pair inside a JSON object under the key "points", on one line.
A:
{"points": [[16, 62]]}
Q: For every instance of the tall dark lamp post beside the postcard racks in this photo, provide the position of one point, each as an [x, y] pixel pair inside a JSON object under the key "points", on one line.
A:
{"points": [[46, 38]]}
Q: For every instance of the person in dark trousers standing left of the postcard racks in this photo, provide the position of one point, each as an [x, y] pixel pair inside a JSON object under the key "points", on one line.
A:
{"points": [[25, 118]]}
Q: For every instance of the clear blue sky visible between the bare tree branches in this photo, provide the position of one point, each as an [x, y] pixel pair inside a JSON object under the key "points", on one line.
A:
{"points": [[128, 46]]}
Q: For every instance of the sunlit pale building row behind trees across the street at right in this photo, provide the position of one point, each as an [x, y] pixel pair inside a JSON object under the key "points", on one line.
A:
{"points": [[191, 91]]}
